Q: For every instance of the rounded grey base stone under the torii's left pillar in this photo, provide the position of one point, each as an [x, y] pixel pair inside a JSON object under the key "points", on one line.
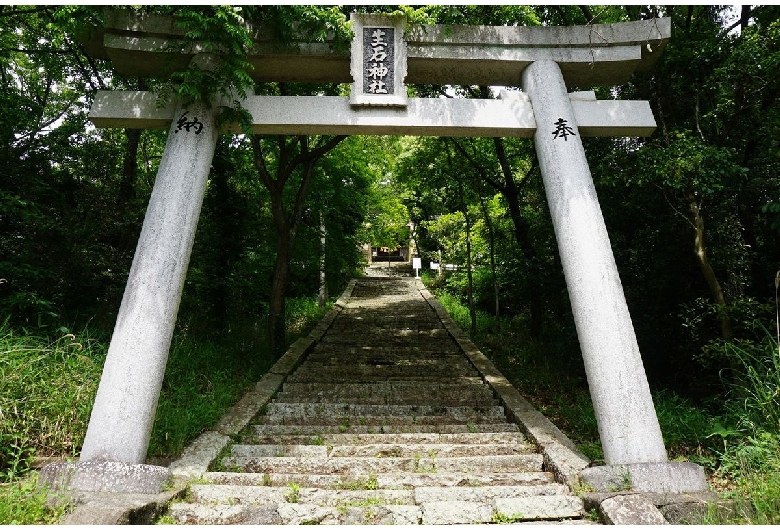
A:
{"points": [[113, 477]]}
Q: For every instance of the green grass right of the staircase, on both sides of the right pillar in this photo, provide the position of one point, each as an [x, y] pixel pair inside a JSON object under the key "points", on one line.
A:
{"points": [[736, 440]]}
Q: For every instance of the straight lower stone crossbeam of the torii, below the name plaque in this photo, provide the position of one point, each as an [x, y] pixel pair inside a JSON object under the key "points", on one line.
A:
{"points": [[509, 116]]}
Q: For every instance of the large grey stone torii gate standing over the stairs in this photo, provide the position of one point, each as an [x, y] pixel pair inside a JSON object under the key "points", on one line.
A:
{"points": [[542, 60]]}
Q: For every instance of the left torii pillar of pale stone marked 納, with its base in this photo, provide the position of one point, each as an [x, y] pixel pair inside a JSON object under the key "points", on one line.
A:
{"points": [[119, 429]]}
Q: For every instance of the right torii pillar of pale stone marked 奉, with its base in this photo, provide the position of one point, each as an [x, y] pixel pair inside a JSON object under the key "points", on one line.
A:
{"points": [[628, 426]]}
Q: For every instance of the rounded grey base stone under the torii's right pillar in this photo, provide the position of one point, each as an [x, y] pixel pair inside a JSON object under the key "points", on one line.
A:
{"points": [[657, 477]]}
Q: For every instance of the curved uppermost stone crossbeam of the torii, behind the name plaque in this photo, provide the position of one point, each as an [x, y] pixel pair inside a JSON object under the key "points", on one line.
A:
{"points": [[438, 54]]}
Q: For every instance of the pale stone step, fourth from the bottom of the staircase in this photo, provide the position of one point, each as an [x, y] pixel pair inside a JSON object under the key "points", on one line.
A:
{"points": [[358, 465]]}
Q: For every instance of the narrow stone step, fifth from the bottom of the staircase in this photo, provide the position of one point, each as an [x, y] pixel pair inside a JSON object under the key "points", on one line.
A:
{"points": [[379, 450]]}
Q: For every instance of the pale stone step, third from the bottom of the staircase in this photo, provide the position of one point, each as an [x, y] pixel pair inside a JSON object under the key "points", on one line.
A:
{"points": [[381, 480]]}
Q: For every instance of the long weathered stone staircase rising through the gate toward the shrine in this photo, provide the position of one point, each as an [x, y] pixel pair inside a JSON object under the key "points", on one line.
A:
{"points": [[386, 421]]}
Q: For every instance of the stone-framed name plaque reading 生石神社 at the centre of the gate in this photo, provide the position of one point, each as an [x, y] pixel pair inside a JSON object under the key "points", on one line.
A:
{"points": [[378, 61]]}
